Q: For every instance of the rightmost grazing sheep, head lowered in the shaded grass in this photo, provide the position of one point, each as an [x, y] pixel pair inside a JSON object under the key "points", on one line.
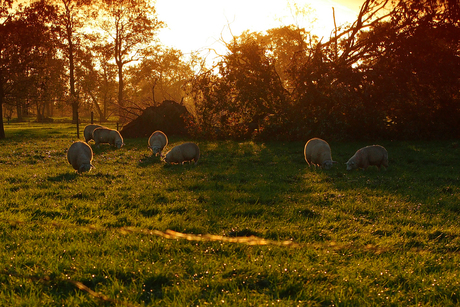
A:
{"points": [[370, 155]]}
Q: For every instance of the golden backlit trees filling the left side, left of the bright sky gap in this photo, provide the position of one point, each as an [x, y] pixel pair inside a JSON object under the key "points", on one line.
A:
{"points": [[69, 57]]}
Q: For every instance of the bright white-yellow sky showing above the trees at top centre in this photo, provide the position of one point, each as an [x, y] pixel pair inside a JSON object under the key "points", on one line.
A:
{"points": [[200, 24]]}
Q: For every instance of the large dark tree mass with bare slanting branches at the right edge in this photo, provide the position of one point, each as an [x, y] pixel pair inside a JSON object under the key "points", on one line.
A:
{"points": [[393, 72]]}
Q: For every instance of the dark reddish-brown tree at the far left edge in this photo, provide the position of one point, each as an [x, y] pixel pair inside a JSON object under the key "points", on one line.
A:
{"points": [[26, 44]]}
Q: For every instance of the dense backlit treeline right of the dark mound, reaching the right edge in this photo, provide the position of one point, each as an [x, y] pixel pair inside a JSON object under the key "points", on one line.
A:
{"points": [[393, 73]]}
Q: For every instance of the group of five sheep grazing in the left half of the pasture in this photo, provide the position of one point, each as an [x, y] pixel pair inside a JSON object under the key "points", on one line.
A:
{"points": [[80, 154]]}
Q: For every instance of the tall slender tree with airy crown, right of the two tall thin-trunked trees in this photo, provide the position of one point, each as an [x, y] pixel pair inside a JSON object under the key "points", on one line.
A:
{"points": [[130, 27]]}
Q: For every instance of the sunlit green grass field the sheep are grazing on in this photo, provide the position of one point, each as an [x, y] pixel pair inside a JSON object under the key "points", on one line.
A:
{"points": [[362, 238]]}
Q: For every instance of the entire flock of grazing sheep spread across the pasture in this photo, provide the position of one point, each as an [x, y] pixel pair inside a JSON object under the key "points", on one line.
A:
{"points": [[317, 151]]}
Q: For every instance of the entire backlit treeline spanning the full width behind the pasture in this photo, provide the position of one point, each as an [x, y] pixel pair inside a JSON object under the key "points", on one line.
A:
{"points": [[393, 73]]}
